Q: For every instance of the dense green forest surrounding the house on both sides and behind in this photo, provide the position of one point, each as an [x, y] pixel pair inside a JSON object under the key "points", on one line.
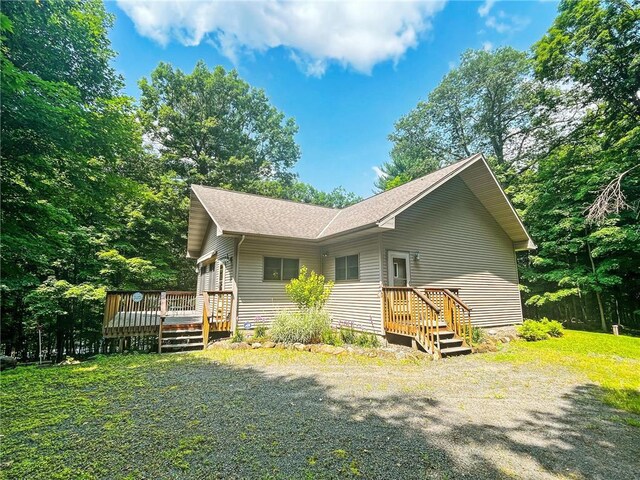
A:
{"points": [[95, 184]]}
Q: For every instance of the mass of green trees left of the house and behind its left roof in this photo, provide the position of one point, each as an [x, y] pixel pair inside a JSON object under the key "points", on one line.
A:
{"points": [[87, 205]]}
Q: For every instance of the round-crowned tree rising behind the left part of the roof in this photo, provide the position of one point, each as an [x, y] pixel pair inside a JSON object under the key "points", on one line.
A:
{"points": [[212, 127]]}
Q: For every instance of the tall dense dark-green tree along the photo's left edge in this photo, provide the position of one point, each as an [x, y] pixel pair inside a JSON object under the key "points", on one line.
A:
{"points": [[71, 152]]}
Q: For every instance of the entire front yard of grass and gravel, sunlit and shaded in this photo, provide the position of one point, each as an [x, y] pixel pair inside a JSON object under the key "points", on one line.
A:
{"points": [[532, 410]]}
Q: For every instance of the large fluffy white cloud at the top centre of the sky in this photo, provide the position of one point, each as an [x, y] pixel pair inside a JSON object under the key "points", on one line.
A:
{"points": [[357, 34]]}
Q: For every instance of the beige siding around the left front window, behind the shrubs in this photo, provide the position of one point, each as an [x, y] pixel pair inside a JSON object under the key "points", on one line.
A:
{"points": [[259, 300]]}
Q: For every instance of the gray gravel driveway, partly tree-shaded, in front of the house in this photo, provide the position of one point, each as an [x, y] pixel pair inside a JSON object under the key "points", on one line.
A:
{"points": [[274, 414]]}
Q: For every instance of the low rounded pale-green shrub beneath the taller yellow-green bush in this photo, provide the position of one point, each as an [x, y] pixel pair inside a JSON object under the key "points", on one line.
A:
{"points": [[305, 326]]}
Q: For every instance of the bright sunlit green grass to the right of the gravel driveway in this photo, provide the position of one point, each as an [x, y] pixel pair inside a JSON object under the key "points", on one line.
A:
{"points": [[611, 362]]}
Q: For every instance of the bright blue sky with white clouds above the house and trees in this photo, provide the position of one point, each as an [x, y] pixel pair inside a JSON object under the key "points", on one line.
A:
{"points": [[345, 71]]}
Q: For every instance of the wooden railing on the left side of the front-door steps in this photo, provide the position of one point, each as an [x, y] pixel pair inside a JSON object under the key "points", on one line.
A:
{"points": [[407, 311]]}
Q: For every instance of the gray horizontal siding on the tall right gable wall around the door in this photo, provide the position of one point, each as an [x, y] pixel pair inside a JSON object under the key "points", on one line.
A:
{"points": [[461, 246]]}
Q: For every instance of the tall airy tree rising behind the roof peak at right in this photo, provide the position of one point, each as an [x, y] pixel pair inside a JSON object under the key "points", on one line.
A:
{"points": [[490, 103]]}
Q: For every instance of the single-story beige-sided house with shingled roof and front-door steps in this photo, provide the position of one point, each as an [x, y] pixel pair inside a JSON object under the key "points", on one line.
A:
{"points": [[437, 252]]}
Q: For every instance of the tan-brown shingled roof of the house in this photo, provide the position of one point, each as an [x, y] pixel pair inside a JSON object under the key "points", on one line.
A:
{"points": [[248, 214]]}
